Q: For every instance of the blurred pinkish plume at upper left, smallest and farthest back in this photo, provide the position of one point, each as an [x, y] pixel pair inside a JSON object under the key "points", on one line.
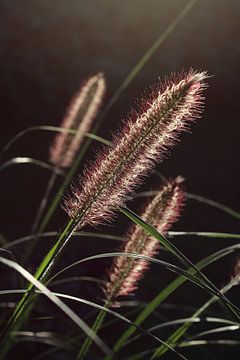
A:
{"points": [[80, 115]]}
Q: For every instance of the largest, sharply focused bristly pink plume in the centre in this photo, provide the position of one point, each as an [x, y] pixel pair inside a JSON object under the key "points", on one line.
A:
{"points": [[145, 138]]}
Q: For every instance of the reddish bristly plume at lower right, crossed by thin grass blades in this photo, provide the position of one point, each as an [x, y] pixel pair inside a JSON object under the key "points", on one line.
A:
{"points": [[161, 212]]}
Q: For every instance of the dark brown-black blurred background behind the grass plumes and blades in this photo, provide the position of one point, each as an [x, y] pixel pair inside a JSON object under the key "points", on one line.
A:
{"points": [[48, 47]]}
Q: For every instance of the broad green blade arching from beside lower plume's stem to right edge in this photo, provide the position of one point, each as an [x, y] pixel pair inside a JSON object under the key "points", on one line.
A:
{"points": [[163, 295]]}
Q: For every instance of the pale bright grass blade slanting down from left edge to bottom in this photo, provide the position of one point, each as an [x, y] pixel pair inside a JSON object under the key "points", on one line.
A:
{"points": [[53, 298]]}
